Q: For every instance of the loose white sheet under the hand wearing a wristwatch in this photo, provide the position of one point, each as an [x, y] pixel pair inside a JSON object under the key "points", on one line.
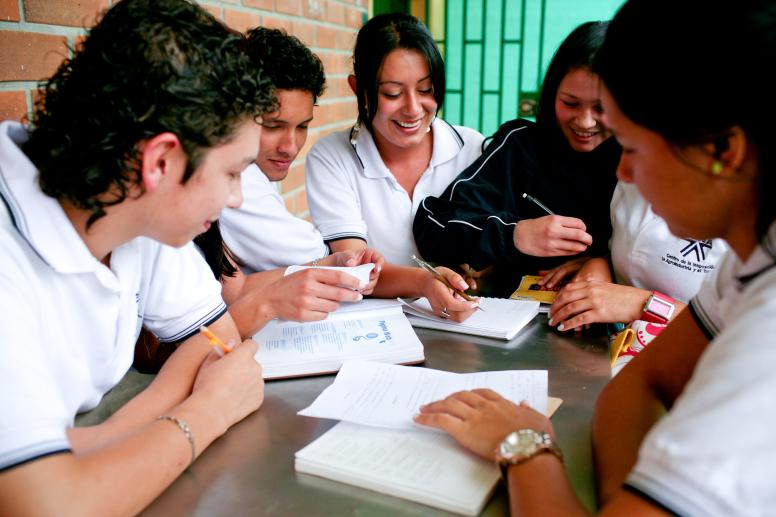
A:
{"points": [[386, 395]]}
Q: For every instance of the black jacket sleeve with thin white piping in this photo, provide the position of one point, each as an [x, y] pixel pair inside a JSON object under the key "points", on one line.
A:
{"points": [[474, 219]]}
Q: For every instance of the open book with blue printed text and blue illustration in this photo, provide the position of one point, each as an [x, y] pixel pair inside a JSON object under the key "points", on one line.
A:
{"points": [[374, 330]]}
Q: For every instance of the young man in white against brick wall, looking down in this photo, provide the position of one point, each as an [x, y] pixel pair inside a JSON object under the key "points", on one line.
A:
{"points": [[262, 233]]}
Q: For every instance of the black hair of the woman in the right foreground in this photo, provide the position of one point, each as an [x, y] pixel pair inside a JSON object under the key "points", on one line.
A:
{"points": [[692, 70]]}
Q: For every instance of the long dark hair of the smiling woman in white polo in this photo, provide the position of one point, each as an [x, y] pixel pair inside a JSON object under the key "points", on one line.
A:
{"points": [[380, 36]]}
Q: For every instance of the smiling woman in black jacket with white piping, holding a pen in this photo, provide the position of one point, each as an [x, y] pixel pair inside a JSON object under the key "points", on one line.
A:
{"points": [[566, 159]]}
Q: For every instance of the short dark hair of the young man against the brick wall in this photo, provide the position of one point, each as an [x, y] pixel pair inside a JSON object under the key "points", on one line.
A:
{"points": [[288, 63]]}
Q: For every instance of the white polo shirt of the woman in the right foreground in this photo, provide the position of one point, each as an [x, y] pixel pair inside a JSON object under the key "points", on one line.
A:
{"points": [[714, 452]]}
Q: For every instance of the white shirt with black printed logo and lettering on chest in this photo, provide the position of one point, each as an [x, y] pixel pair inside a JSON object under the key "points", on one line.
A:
{"points": [[647, 255]]}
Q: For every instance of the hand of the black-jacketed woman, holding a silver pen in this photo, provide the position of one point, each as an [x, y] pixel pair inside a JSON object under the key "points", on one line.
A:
{"points": [[551, 235]]}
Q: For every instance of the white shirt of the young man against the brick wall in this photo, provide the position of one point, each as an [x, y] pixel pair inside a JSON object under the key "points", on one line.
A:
{"points": [[262, 233]]}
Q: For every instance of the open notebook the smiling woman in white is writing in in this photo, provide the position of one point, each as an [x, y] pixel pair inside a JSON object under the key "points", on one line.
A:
{"points": [[500, 318]]}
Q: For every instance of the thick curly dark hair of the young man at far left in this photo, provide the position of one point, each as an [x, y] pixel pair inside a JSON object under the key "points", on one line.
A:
{"points": [[148, 67]]}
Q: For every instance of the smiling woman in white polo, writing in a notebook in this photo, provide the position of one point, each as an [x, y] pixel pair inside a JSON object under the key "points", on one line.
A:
{"points": [[364, 185]]}
